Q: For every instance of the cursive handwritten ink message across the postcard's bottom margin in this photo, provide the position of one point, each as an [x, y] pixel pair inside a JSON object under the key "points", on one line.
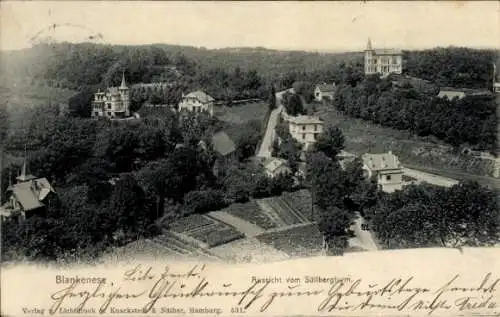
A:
{"points": [[142, 289]]}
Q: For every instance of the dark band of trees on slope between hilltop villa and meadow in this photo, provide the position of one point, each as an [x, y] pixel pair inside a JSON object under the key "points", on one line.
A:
{"points": [[469, 121]]}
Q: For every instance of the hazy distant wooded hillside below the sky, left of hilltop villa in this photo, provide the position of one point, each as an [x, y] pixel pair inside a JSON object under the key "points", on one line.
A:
{"points": [[225, 74]]}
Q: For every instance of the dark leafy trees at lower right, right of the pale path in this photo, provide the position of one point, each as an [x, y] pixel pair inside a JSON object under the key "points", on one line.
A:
{"points": [[428, 216]]}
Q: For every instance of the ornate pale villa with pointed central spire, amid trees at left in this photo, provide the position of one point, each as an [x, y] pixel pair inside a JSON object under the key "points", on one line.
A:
{"points": [[114, 103]]}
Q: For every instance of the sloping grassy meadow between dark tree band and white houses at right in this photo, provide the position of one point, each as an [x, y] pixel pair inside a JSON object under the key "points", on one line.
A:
{"points": [[415, 152]]}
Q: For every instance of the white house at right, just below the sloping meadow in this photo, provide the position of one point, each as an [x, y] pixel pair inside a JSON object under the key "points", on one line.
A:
{"points": [[387, 168]]}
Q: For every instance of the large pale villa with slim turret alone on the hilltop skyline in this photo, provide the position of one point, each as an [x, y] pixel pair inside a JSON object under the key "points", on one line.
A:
{"points": [[383, 61]]}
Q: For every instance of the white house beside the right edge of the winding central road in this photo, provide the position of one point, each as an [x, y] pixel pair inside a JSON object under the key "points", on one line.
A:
{"points": [[305, 129]]}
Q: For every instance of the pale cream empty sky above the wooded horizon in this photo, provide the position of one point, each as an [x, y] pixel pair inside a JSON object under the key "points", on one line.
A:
{"points": [[313, 26]]}
